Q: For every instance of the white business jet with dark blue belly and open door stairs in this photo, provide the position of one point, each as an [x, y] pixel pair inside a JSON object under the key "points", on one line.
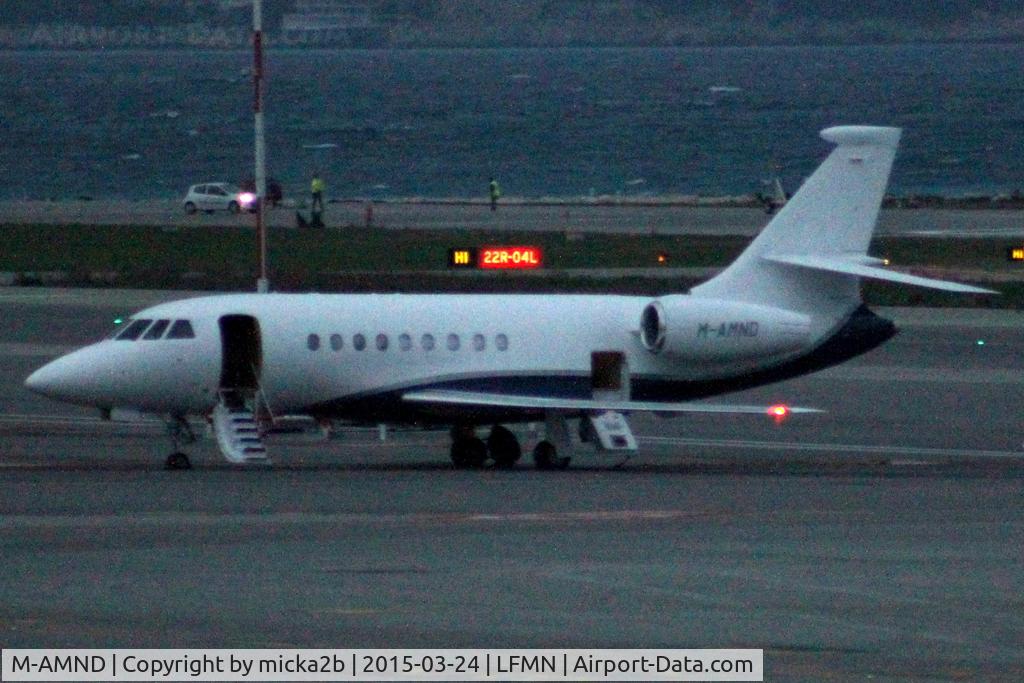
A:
{"points": [[789, 306]]}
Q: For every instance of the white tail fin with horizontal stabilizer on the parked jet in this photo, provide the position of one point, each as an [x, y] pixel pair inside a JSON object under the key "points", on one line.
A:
{"points": [[812, 257]]}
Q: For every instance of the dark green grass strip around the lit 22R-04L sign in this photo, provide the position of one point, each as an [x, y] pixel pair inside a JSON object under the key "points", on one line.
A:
{"points": [[415, 261]]}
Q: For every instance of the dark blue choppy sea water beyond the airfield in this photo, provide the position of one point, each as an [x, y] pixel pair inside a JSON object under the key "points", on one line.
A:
{"points": [[561, 123]]}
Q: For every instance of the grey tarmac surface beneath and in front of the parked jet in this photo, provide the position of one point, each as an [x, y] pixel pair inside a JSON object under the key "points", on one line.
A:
{"points": [[882, 539]]}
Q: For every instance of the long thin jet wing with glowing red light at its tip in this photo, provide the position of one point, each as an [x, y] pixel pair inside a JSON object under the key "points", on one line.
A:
{"points": [[487, 400]]}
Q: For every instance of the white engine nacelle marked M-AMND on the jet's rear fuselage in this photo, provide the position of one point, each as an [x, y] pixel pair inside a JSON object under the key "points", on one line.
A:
{"points": [[711, 330]]}
